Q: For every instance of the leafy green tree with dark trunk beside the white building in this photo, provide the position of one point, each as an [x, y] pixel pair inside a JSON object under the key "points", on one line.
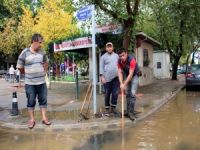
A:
{"points": [[178, 28]]}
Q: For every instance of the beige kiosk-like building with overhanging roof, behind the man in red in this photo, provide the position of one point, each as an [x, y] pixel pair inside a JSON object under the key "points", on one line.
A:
{"points": [[144, 56]]}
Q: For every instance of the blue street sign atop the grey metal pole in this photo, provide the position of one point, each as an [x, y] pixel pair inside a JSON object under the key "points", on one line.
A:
{"points": [[84, 13]]}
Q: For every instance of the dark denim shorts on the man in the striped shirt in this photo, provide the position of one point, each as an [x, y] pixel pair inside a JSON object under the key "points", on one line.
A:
{"points": [[36, 91]]}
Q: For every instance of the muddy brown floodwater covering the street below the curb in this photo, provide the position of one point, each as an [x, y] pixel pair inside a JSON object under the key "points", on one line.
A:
{"points": [[176, 126]]}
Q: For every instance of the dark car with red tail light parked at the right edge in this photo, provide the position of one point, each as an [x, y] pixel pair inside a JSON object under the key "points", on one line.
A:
{"points": [[193, 76]]}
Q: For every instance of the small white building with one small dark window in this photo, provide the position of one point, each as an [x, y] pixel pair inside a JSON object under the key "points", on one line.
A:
{"points": [[161, 64]]}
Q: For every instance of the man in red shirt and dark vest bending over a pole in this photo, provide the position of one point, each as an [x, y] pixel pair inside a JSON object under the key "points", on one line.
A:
{"points": [[128, 70]]}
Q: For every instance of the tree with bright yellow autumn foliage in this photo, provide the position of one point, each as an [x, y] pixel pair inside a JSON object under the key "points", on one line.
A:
{"points": [[53, 22]]}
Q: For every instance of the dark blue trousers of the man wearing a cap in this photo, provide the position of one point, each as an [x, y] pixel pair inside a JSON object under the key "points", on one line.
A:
{"points": [[111, 89]]}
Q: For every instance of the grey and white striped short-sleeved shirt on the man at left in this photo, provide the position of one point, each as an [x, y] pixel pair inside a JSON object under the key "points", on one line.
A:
{"points": [[33, 66]]}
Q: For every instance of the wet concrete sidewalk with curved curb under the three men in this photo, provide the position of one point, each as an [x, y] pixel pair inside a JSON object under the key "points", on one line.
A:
{"points": [[63, 108]]}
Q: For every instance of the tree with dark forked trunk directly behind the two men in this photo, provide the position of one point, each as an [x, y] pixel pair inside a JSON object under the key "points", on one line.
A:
{"points": [[124, 12]]}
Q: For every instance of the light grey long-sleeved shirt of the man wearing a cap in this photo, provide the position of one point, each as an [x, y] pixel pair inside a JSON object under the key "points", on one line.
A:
{"points": [[108, 66]]}
